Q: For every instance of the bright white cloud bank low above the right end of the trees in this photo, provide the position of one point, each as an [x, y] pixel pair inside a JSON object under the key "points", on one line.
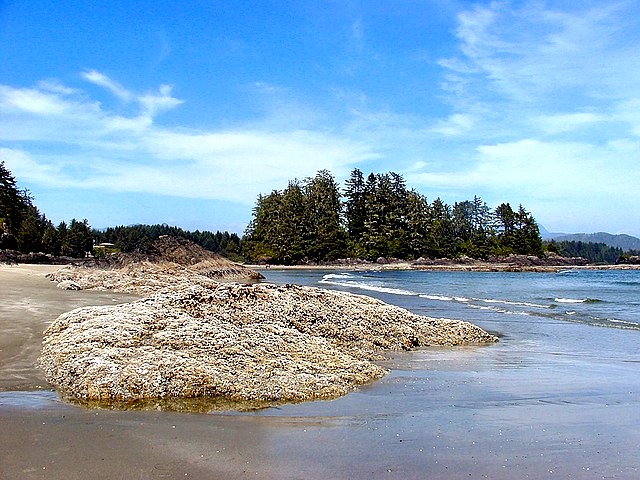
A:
{"points": [[576, 185]]}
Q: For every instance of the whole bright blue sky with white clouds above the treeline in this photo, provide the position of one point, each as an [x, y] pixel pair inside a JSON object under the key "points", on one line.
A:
{"points": [[183, 112]]}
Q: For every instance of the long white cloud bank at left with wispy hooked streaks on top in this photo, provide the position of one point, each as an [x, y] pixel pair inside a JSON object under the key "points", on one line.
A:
{"points": [[104, 151]]}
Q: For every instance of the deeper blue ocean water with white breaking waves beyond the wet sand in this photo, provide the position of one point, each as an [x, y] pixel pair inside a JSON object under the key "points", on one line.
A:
{"points": [[604, 298]]}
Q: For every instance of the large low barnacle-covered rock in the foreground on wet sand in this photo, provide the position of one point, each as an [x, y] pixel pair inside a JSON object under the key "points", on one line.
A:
{"points": [[245, 342]]}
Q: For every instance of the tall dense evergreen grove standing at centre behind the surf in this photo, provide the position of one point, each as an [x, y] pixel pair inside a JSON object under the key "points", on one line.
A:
{"points": [[378, 216]]}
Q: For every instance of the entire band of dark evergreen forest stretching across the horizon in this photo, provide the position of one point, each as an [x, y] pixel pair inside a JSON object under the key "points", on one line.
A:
{"points": [[314, 221]]}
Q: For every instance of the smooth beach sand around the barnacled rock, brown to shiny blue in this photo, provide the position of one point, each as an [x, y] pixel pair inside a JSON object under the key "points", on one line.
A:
{"points": [[503, 411]]}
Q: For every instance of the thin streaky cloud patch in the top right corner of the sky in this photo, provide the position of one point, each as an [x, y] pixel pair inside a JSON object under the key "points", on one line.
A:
{"points": [[535, 58]]}
